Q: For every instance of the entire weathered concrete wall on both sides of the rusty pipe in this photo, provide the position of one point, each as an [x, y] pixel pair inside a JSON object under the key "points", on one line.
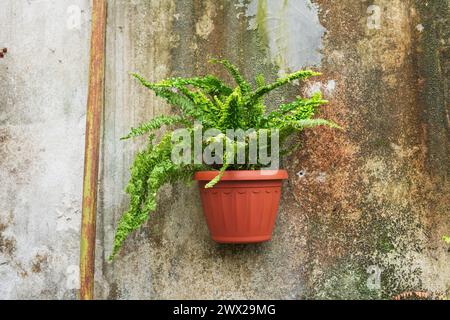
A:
{"points": [[367, 204]]}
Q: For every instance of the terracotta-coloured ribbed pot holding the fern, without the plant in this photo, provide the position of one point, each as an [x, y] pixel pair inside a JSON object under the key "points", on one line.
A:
{"points": [[243, 206]]}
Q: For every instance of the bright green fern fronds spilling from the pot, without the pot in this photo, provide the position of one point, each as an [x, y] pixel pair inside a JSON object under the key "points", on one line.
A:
{"points": [[216, 105]]}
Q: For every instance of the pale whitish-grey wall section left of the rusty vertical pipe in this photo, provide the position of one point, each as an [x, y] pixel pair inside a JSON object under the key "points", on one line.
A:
{"points": [[42, 104]]}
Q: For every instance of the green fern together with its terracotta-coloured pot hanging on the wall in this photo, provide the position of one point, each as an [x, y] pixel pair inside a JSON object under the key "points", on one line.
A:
{"points": [[220, 136]]}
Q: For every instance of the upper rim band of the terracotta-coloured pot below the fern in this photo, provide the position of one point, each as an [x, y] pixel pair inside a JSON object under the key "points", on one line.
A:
{"points": [[247, 175]]}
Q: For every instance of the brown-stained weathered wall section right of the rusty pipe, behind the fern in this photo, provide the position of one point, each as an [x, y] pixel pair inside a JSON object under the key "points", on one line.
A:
{"points": [[373, 198]]}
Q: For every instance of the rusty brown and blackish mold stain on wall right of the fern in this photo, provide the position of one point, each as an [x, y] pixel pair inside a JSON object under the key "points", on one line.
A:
{"points": [[390, 222]]}
